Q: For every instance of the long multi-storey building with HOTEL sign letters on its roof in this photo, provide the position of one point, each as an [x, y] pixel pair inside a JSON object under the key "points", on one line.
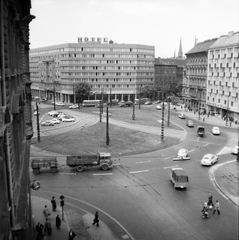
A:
{"points": [[117, 70]]}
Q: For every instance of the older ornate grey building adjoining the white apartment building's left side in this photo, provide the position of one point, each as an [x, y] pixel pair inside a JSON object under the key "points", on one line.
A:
{"points": [[195, 80]]}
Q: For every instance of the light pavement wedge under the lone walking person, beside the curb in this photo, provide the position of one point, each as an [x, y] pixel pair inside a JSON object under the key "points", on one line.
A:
{"points": [[97, 233]]}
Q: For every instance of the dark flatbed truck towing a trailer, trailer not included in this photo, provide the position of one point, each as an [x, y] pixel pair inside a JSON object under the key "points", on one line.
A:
{"points": [[101, 159]]}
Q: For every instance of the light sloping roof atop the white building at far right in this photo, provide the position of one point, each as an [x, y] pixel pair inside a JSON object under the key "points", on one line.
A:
{"points": [[226, 40]]}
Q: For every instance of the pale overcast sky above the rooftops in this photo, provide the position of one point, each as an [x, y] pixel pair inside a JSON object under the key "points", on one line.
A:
{"points": [[159, 23]]}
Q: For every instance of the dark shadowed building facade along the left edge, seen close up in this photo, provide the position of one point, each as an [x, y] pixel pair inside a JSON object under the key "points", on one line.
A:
{"points": [[15, 120]]}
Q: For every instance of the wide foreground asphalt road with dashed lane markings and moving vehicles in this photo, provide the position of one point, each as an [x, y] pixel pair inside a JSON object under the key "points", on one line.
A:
{"points": [[138, 194]]}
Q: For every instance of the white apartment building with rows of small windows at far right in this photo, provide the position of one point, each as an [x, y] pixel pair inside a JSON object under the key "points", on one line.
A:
{"points": [[223, 76]]}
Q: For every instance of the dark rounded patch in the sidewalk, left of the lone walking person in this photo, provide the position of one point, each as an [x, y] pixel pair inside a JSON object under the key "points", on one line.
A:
{"points": [[76, 223]]}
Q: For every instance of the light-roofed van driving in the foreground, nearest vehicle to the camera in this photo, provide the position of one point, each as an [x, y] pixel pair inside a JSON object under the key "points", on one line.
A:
{"points": [[179, 178]]}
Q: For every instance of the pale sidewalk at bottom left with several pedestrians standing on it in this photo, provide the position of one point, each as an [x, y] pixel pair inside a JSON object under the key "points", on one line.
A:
{"points": [[80, 224]]}
